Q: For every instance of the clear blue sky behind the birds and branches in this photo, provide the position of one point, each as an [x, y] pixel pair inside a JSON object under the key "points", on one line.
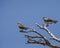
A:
{"points": [[28, 12]]}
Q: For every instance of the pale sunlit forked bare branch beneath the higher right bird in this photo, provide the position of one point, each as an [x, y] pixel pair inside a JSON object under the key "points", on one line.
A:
{"points": [[48, 31]]}
